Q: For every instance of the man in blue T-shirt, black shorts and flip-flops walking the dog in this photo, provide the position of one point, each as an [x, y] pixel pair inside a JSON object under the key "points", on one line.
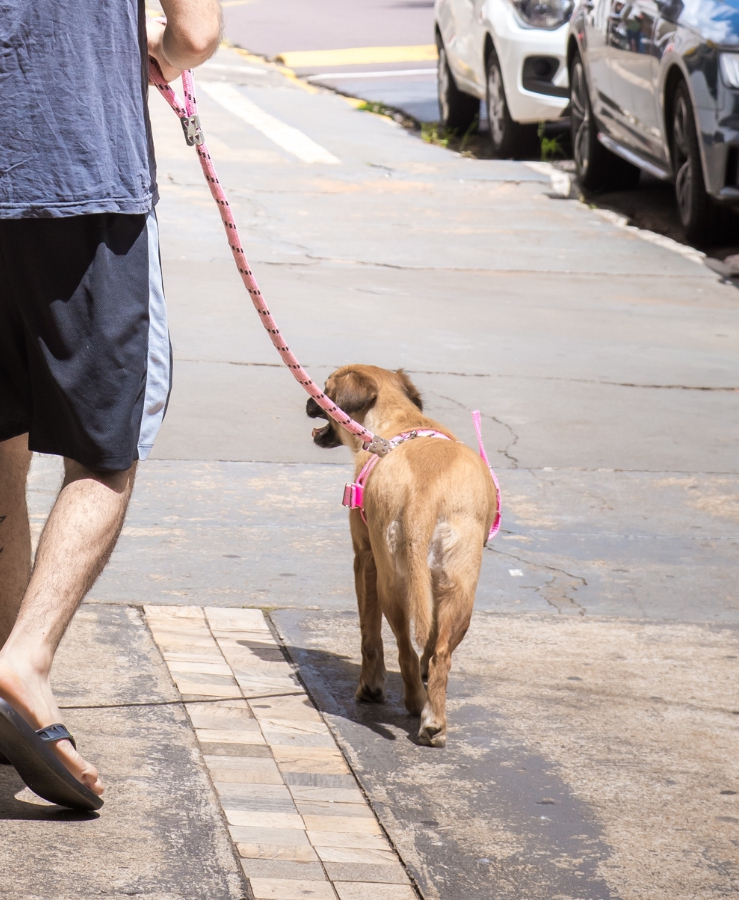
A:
{"points": [[84, 346]]}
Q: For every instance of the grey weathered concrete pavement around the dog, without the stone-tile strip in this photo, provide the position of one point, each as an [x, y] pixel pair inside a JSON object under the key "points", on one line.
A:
{"points": [[593, 741]]}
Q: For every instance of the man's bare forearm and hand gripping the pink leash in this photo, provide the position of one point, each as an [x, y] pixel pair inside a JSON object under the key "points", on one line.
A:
{"points": [[191, 35]]}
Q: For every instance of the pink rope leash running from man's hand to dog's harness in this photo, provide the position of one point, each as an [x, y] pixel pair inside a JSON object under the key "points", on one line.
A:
{"points": [[188, 115]]}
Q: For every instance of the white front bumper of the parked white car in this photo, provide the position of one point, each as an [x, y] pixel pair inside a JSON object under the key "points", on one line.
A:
{"points": [[530, 99]]}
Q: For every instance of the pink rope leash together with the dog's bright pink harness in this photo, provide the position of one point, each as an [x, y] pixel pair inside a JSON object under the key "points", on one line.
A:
{"points": [[378, 446]]}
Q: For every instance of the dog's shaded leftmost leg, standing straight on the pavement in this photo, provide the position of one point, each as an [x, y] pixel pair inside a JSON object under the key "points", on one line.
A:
{"points": [[372, 677]]}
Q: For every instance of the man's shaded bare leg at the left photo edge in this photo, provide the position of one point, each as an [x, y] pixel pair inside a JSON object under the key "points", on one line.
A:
{"points": [[15, 532]]}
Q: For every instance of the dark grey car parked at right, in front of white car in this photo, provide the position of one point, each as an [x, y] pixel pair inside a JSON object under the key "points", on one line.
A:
{"points": [[655, 86]]}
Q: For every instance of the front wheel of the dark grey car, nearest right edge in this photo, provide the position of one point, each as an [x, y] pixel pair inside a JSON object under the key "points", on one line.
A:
{"points": [[698, 213]]}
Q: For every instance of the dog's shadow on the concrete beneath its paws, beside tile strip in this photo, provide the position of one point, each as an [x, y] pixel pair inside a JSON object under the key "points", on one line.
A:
{"points": [[332, 680]]}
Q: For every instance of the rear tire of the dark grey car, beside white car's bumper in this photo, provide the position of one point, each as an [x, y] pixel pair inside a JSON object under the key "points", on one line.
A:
{"points": [[597, 168]]}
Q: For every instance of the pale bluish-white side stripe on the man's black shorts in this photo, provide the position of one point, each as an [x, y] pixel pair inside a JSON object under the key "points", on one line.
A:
{"points": [[158, 368]]}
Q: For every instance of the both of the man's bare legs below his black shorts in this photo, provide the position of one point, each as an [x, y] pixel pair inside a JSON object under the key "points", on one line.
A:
{"points": [[37, 605]]}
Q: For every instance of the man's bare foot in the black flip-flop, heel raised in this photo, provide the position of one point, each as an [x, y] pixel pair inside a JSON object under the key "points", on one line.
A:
{"points": [[31, 696]]}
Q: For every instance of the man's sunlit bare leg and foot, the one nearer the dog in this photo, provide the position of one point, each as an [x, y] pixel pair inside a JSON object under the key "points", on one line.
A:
{"points": [[79, 536]]}
